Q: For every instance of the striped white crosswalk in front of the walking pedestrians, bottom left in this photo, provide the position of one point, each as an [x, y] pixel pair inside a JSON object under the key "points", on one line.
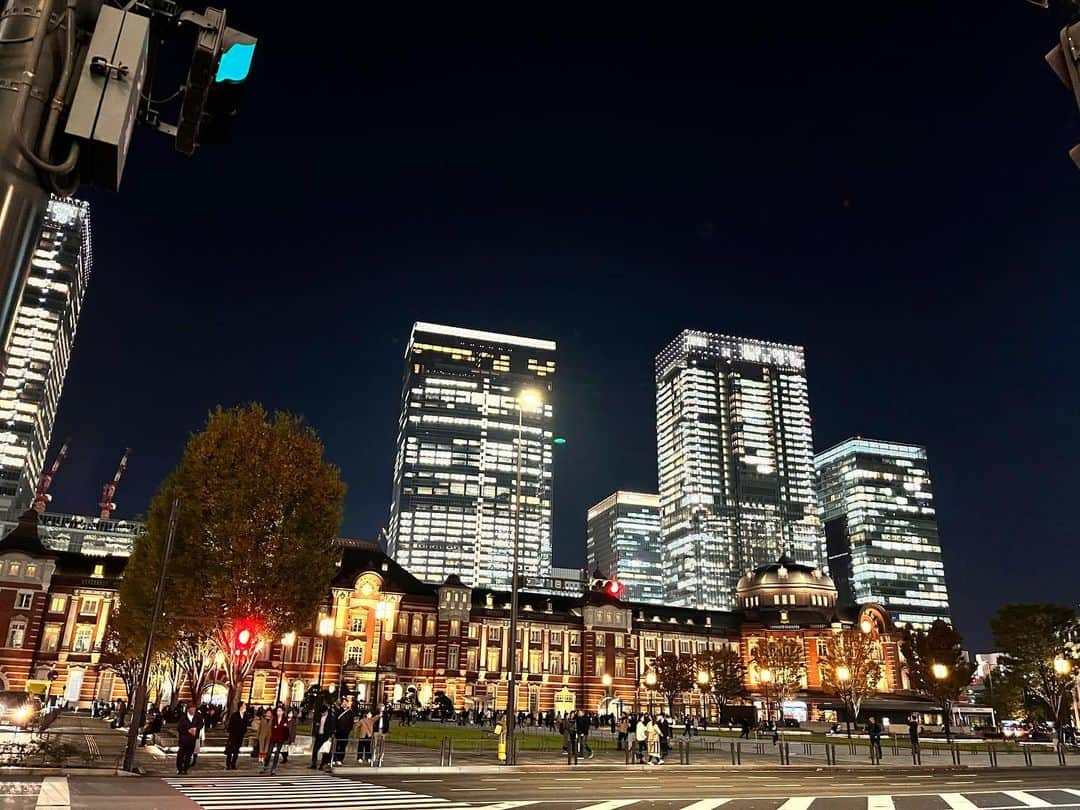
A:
{"points": [[301, 793]]}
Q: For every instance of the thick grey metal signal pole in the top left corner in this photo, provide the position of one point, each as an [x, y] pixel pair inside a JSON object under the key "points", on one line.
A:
{"points": [[32, 38]]}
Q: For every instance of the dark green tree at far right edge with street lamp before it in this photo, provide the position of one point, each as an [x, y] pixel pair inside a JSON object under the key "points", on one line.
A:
{"points": [[1032, 639]]}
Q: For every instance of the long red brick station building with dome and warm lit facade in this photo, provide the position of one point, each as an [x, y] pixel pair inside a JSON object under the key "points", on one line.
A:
{"points": [[385, 627]]}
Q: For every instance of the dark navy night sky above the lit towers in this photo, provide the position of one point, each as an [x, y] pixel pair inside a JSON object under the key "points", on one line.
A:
{"points": [[885, 184]]}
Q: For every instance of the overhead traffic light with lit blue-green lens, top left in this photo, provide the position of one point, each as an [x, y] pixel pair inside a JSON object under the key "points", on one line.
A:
{"points": [[221, 63]]}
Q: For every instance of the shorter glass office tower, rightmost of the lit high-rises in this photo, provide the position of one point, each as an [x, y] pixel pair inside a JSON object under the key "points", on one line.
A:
{"points": [[881, 526]]}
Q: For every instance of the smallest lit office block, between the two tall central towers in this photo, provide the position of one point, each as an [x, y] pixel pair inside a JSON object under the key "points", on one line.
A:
{"points": [[624, 542]]}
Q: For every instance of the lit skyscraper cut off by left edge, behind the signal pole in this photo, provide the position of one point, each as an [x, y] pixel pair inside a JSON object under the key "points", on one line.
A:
{"points": [[40, 349]]}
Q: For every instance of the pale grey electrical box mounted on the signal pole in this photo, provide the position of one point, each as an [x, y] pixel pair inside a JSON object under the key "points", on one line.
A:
{"points": [[106, 103]]}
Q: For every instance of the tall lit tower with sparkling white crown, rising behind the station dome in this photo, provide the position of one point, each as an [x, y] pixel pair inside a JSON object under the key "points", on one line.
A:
{"points": [[736, 464]]}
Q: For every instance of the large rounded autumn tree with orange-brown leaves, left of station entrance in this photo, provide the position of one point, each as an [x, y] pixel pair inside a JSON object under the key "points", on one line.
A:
{"points": [[259, 512]]}
